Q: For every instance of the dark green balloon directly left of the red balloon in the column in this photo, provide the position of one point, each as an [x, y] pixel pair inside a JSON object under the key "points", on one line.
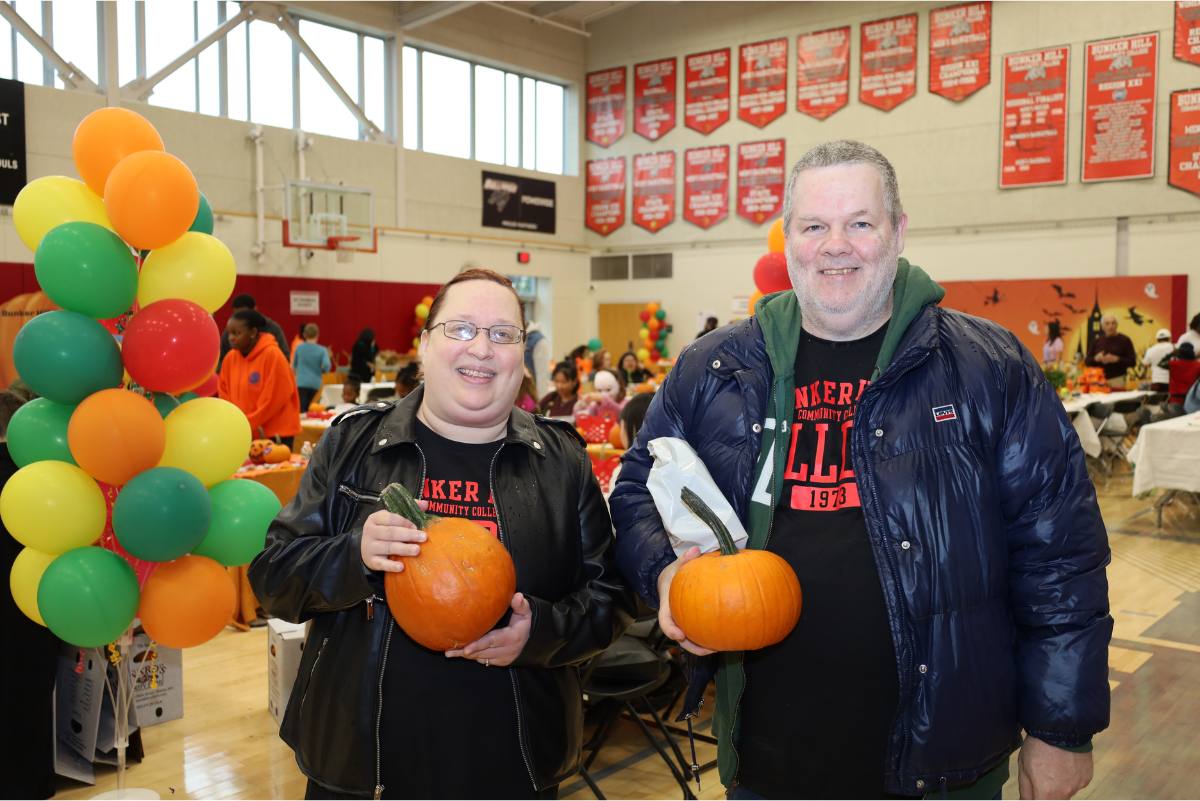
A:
{"points": [[67, 357]]}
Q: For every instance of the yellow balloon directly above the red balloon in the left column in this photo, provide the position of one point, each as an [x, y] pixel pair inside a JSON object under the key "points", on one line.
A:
{"points": [[196, 267]]}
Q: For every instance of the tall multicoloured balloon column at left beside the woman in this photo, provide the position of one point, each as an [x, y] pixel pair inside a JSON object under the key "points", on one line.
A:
{"points": [[133, 243]]}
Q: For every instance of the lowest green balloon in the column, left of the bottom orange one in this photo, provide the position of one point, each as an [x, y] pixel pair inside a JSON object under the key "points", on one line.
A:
{"points": [[88, 597]]}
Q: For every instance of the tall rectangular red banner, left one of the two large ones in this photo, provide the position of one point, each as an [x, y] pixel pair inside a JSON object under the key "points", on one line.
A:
{"points": [[1034, 140]]}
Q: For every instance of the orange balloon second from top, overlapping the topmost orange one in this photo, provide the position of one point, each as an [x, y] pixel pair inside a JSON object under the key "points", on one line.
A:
{"points": [[152, 200]]}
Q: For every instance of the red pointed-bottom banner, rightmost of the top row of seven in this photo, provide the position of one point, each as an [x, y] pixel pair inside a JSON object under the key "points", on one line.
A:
{"points": [[959, 50]]}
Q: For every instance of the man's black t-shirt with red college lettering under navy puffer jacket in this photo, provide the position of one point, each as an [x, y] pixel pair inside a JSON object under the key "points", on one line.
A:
{"points": [[819, 707]]}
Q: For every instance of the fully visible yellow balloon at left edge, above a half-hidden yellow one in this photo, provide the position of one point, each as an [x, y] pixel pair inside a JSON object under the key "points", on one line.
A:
{"points": [[53, 507]]}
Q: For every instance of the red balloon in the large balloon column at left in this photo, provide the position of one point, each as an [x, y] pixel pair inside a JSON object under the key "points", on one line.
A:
{"points": [[171, 346]]}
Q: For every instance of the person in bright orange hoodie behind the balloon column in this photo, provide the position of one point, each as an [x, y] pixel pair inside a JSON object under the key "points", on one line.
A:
{"points": [[256, 378]]}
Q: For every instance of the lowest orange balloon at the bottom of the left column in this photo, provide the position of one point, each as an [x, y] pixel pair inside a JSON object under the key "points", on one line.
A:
{"points": [[187, 603]]}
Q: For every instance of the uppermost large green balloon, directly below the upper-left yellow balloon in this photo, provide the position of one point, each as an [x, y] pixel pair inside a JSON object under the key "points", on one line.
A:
{"points": [[88, 269]]}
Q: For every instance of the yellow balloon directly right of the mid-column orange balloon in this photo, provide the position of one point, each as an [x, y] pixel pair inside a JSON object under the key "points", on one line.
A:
{"points": [[207, 437]]}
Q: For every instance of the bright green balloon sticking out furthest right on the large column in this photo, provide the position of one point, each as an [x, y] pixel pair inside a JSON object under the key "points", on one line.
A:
{"points": [[242, 513]]}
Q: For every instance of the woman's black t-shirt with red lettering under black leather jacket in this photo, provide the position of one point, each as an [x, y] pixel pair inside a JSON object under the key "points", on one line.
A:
{"points": [[449, 727]]}
